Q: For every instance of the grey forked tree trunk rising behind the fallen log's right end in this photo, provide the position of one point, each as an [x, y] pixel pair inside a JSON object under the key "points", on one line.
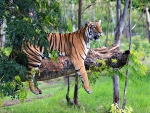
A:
{"points": [[120, 20]]}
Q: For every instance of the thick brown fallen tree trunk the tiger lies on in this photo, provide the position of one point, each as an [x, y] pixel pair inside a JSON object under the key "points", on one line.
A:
{"points": [[50, 70]]}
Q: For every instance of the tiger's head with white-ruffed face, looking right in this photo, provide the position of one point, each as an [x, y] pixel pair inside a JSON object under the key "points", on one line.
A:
{"points": [[93, 30]]}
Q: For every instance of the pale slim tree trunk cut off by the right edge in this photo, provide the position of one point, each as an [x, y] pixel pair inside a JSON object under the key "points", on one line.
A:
{"points": [[148, 23]]}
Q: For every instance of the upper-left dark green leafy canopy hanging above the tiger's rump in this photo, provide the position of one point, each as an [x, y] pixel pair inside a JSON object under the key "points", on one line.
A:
{"points": [[26, 20]]}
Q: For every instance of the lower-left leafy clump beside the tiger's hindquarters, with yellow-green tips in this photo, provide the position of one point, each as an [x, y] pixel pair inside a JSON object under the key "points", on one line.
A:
{"points": [[10, 82]]}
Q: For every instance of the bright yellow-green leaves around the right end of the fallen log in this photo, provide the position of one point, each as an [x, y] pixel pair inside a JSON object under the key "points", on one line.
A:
{"points": [[136, 67]]}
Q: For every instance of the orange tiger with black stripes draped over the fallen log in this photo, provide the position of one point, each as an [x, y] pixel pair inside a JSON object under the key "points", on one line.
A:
{"points": [[75, 45]]}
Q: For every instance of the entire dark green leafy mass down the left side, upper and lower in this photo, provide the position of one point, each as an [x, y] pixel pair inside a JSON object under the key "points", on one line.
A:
{"points": [[28, 20]]}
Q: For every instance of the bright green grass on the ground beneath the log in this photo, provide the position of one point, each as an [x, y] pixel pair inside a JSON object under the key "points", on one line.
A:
{"points": [[97, 102]]}
